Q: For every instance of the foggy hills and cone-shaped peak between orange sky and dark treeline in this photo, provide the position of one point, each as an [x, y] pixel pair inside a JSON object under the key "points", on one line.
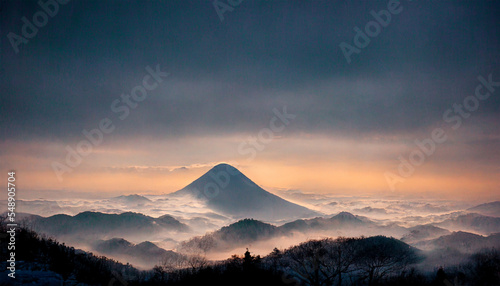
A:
{"points": [[223, 212]]}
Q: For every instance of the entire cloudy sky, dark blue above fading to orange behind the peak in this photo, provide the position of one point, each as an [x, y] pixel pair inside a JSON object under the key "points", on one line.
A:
{"points": [[263, 85]]}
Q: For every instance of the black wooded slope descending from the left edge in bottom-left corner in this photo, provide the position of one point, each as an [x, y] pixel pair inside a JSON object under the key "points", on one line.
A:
{"points": [[35, 253]]}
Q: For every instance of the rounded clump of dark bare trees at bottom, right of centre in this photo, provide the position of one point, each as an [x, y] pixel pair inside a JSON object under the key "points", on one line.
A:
{"points": [[361, 260]]}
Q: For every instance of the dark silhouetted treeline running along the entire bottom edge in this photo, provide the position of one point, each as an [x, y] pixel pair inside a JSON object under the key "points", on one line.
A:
{"points": [[375, 260]]}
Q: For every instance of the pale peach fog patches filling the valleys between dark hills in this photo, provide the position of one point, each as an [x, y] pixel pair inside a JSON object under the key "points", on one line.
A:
{"points": [[200, 219]]}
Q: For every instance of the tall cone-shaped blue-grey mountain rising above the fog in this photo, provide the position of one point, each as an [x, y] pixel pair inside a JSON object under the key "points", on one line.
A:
{"points": [[225, 189]]}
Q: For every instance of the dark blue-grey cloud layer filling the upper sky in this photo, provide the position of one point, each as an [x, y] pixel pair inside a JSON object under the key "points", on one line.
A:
{"points": [[228, 76]]}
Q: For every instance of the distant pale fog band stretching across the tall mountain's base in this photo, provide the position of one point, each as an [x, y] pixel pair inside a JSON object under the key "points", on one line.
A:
{"points": [[405, 212]]}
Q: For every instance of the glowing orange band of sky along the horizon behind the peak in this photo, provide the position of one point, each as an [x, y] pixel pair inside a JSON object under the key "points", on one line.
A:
{"points": [[318, 165]]}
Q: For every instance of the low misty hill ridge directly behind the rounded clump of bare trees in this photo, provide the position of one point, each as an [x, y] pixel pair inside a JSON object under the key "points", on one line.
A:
{"points": [[251, 232]]}
